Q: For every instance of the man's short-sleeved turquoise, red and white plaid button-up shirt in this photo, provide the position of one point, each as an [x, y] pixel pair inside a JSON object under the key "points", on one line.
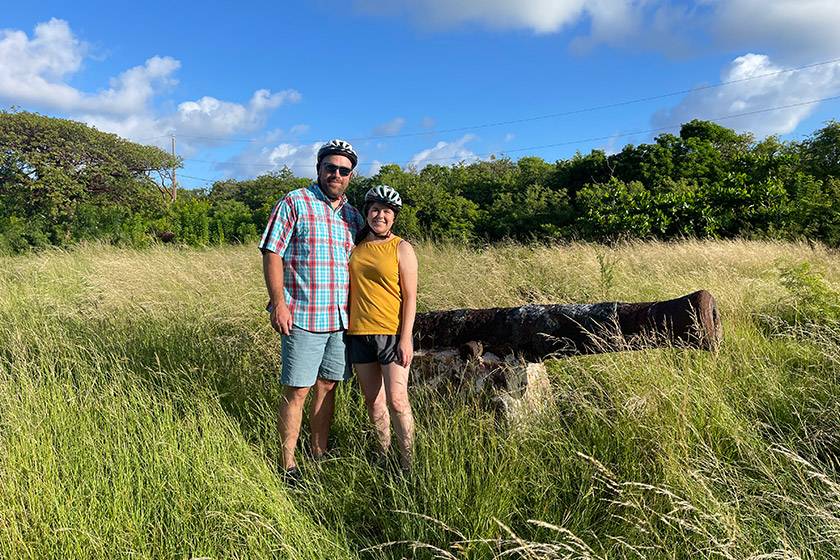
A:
{"points": [[315, 242]]}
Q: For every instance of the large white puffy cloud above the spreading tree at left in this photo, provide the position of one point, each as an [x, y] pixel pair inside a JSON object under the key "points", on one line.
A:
{"points": [[34, 72]]}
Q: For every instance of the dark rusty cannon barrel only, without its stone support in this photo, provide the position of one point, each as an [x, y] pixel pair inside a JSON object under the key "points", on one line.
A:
{"points": [[537, 332]]}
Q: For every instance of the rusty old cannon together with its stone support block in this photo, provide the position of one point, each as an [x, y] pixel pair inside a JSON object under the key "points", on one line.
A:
{"points": [[499, 352]]}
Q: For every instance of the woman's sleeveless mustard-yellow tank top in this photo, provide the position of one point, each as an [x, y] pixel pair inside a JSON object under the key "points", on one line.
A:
{"points": [[375, 297]]}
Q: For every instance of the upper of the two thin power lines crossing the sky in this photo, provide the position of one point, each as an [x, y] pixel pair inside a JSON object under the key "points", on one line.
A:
{"points": [[590, 109]]}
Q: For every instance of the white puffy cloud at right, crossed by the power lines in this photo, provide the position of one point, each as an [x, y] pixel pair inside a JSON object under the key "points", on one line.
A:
{"points": [[788, 88]]}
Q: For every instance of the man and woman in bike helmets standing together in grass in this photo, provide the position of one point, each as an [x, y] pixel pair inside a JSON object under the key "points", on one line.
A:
{"points": [[342, 289]]}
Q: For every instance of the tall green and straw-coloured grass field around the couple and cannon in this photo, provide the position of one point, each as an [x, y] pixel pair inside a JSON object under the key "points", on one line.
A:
{"points": [[138, 392]]}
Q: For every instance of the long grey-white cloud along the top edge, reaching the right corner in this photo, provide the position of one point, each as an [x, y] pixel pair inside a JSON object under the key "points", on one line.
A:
{"points": [[796, 29]]}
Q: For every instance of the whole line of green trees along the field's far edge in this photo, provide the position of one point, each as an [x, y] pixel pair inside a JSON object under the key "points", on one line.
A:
{"points": [[63, 182]]}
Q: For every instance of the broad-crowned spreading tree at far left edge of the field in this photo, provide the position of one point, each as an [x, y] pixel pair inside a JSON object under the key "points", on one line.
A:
{"points": [[50, 167]]}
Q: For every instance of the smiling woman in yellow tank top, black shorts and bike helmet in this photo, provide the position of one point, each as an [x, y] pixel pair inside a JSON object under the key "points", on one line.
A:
{"points": [[383, 303]]}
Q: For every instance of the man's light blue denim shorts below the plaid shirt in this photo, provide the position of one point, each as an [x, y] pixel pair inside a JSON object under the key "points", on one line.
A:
{"points": [[308, 355]]}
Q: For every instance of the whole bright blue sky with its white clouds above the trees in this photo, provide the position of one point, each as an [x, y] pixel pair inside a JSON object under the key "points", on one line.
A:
{"points": [[249, 88]]}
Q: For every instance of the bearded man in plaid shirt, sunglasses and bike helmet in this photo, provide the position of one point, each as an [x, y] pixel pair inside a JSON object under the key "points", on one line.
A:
{"points": [[306, 247]]}
